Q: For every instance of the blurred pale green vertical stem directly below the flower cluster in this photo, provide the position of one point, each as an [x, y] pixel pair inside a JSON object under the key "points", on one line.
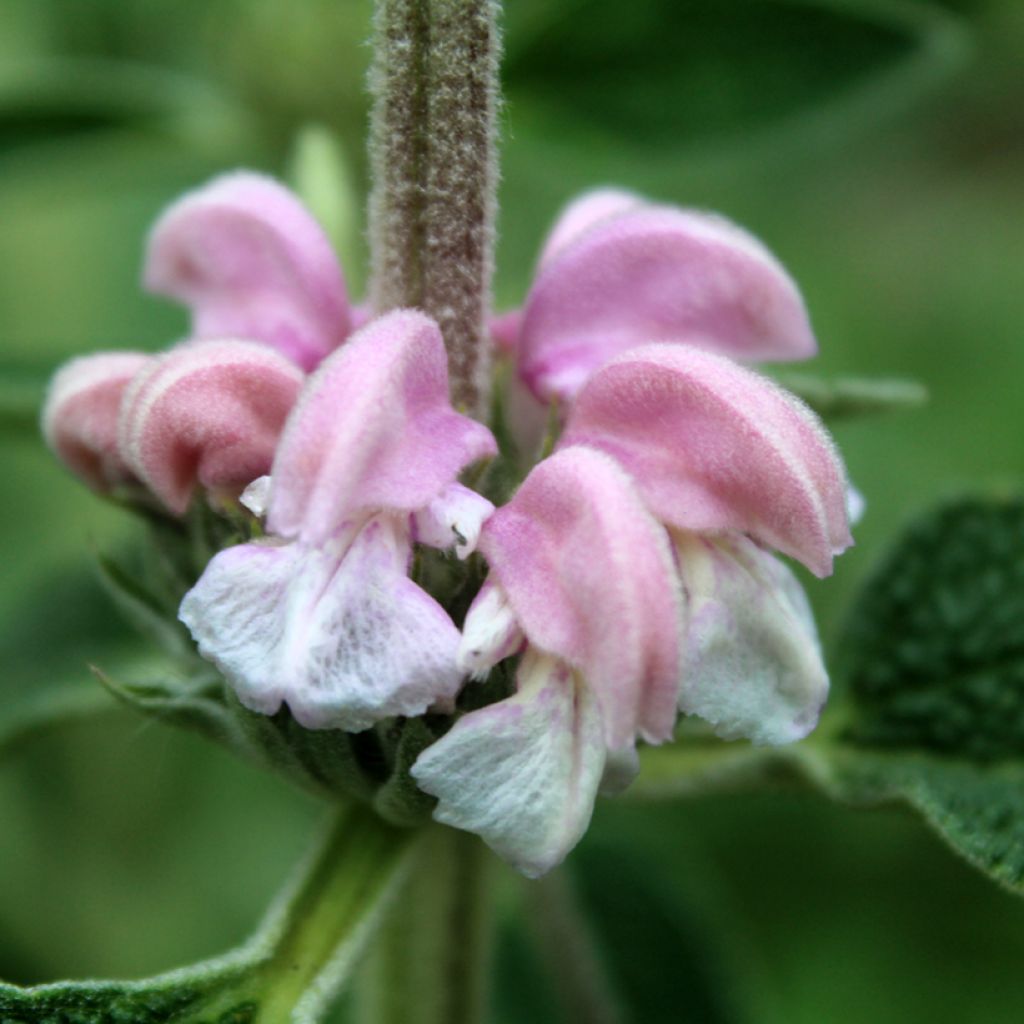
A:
{"points": [[431, 963]]}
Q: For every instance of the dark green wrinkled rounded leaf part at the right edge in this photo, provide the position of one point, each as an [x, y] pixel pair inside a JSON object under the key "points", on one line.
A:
{"points": [[935, 647]]}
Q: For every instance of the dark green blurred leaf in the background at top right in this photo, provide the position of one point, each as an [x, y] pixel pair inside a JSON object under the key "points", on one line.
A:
{"points": [[677, 73]]}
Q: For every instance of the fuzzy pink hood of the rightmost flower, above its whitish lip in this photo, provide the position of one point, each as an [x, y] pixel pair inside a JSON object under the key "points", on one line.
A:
{"points": [[714, 448]]}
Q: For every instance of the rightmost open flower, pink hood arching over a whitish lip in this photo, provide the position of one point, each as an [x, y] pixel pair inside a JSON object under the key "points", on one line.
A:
{"points": [[733, 465]]}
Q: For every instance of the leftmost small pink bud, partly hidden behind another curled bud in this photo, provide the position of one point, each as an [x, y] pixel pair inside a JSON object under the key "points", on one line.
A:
{"points": [[80, 416]]}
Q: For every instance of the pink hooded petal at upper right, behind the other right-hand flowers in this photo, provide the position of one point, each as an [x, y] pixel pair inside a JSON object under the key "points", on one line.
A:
{"points": [[657, 275]]}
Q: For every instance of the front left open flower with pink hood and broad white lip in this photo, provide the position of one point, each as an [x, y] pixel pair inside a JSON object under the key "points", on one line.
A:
{"points": [[322, 616]]}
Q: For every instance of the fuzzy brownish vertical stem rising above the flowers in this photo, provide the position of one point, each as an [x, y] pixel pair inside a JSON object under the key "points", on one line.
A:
{"points": [[434, 157]]}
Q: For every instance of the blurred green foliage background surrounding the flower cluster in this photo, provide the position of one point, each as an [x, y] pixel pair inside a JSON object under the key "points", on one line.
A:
{"points": [[877, 148]]}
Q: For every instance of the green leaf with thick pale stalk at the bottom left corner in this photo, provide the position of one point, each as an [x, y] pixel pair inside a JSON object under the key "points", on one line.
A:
{"points": [[291, 970]]}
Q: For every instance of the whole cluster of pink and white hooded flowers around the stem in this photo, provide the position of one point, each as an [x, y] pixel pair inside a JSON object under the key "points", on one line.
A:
{"points": [[631, 576]]}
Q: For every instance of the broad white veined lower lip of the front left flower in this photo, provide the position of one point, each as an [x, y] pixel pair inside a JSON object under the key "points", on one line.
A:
{"points": [[340, 633]]}
